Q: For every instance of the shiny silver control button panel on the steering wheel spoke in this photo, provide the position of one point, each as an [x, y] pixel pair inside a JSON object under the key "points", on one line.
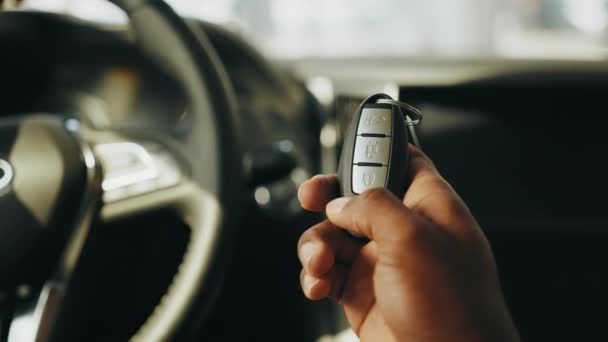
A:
{"points": [[132, 169]]}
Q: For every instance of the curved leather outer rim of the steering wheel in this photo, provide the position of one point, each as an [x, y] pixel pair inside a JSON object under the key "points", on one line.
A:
{"points": [[188, 56]]}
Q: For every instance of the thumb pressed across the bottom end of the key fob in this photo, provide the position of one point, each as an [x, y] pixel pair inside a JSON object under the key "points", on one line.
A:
{"points": [[375, 214]]}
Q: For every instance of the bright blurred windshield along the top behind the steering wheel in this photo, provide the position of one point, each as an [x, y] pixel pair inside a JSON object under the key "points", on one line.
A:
{"points": [[556, 29]]}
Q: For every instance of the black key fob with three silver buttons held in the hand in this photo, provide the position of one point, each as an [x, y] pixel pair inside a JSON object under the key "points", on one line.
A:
{"points": [[375, 150]]}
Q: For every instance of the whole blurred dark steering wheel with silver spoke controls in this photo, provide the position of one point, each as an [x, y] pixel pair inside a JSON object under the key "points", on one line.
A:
{"points": [[57, 176]]}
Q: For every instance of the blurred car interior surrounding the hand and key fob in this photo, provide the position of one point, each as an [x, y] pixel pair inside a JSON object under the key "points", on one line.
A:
{"points": [[151, 155]]}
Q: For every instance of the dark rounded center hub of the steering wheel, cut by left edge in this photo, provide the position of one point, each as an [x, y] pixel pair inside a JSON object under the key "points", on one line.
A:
{"points": [[40, 194]]}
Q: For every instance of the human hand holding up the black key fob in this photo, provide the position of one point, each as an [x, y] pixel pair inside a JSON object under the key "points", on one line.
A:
{"points": [[427, 272]]}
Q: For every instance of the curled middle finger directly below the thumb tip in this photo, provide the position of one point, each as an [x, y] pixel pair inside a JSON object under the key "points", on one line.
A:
{"points": [[323, 246]]}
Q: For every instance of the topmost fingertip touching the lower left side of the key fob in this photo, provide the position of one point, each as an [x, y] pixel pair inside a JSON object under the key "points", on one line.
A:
{"points": [[316, 192]]}
